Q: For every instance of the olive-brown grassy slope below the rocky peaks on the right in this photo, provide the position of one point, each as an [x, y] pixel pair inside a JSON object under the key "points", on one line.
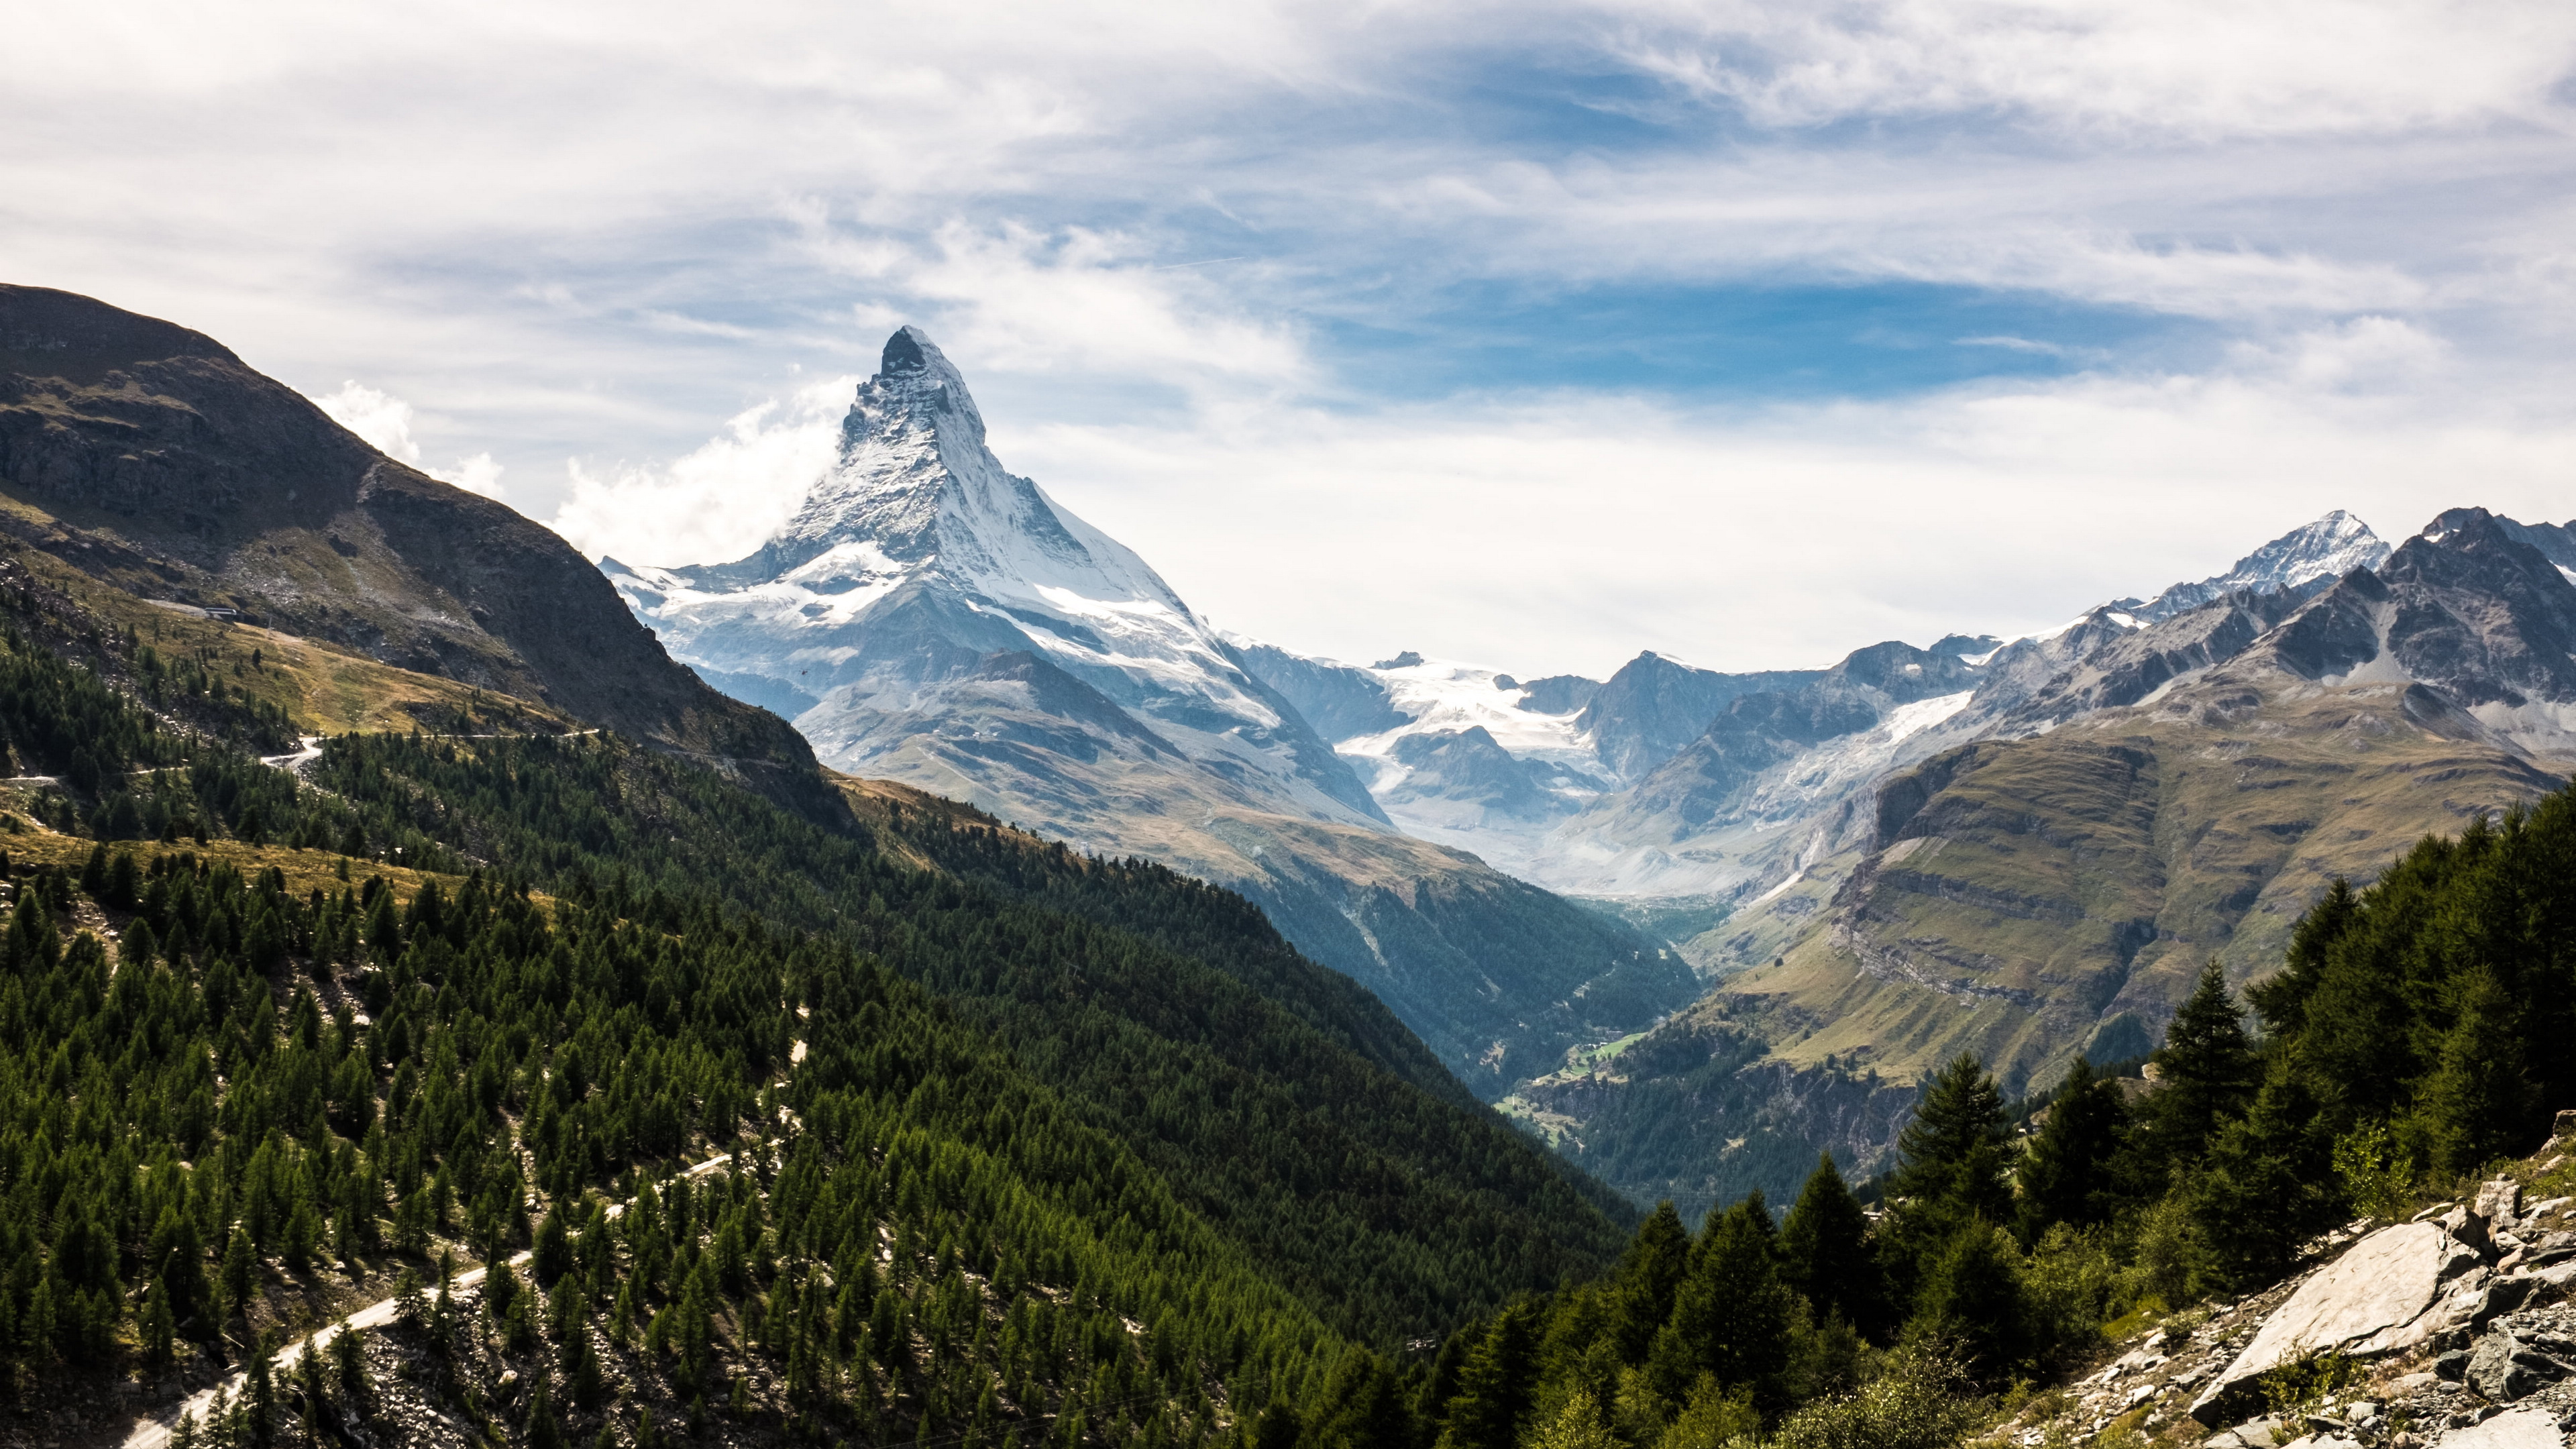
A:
{"points": [[2065, 891]]}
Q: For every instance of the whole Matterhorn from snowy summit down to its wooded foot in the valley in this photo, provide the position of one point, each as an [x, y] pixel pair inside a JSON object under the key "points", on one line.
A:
{"points": [[957, 630]]}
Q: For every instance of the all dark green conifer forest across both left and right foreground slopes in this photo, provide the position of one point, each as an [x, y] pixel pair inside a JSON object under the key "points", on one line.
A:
{"points": [[916, 1131]]}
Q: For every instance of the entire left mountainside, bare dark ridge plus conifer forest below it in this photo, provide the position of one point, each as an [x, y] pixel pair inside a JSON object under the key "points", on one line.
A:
{"points": [[540, 945]]}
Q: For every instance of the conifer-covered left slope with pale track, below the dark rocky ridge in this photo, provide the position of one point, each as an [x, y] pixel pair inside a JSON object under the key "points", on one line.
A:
{"points": [[1122, 1190]]}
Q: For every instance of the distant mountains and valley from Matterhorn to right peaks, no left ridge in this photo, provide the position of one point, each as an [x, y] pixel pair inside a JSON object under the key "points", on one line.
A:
{"points": [[1691, 927]]}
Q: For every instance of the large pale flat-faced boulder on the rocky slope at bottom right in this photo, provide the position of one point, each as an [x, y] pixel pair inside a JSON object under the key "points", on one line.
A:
{"points": [[2363, 1303]]}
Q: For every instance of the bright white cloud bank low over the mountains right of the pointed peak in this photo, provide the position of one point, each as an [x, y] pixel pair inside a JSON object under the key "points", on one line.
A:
{"points": [[1567, 532]]}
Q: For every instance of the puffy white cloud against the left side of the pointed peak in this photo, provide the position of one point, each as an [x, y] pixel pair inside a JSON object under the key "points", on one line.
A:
{"points": [[717, 501]]}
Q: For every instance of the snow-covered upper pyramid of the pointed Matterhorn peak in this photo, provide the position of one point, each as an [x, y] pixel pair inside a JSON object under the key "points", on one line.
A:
{"points": [[918, 569]]}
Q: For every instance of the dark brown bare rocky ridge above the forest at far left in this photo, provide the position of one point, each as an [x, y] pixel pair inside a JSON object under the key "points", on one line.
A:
{"points": [[151, 458]]}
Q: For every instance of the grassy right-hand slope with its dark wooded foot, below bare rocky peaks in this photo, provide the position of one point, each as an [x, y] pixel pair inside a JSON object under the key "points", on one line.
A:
{"points": [[2026, 901]]}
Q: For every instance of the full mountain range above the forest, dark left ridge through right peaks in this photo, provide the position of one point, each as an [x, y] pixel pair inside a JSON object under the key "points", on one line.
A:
{"points": [[1686, 924]]}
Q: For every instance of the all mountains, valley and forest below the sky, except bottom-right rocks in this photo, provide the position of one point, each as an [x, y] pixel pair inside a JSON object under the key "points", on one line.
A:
{"points": [[923, 984]]}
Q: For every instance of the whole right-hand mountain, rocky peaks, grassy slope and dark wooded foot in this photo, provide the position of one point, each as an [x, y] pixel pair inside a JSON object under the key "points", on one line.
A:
{"points": [[2060, 862]]}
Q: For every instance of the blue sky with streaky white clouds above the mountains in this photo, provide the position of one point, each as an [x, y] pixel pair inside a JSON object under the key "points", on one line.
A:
{"points": [[1513, 334]]}
